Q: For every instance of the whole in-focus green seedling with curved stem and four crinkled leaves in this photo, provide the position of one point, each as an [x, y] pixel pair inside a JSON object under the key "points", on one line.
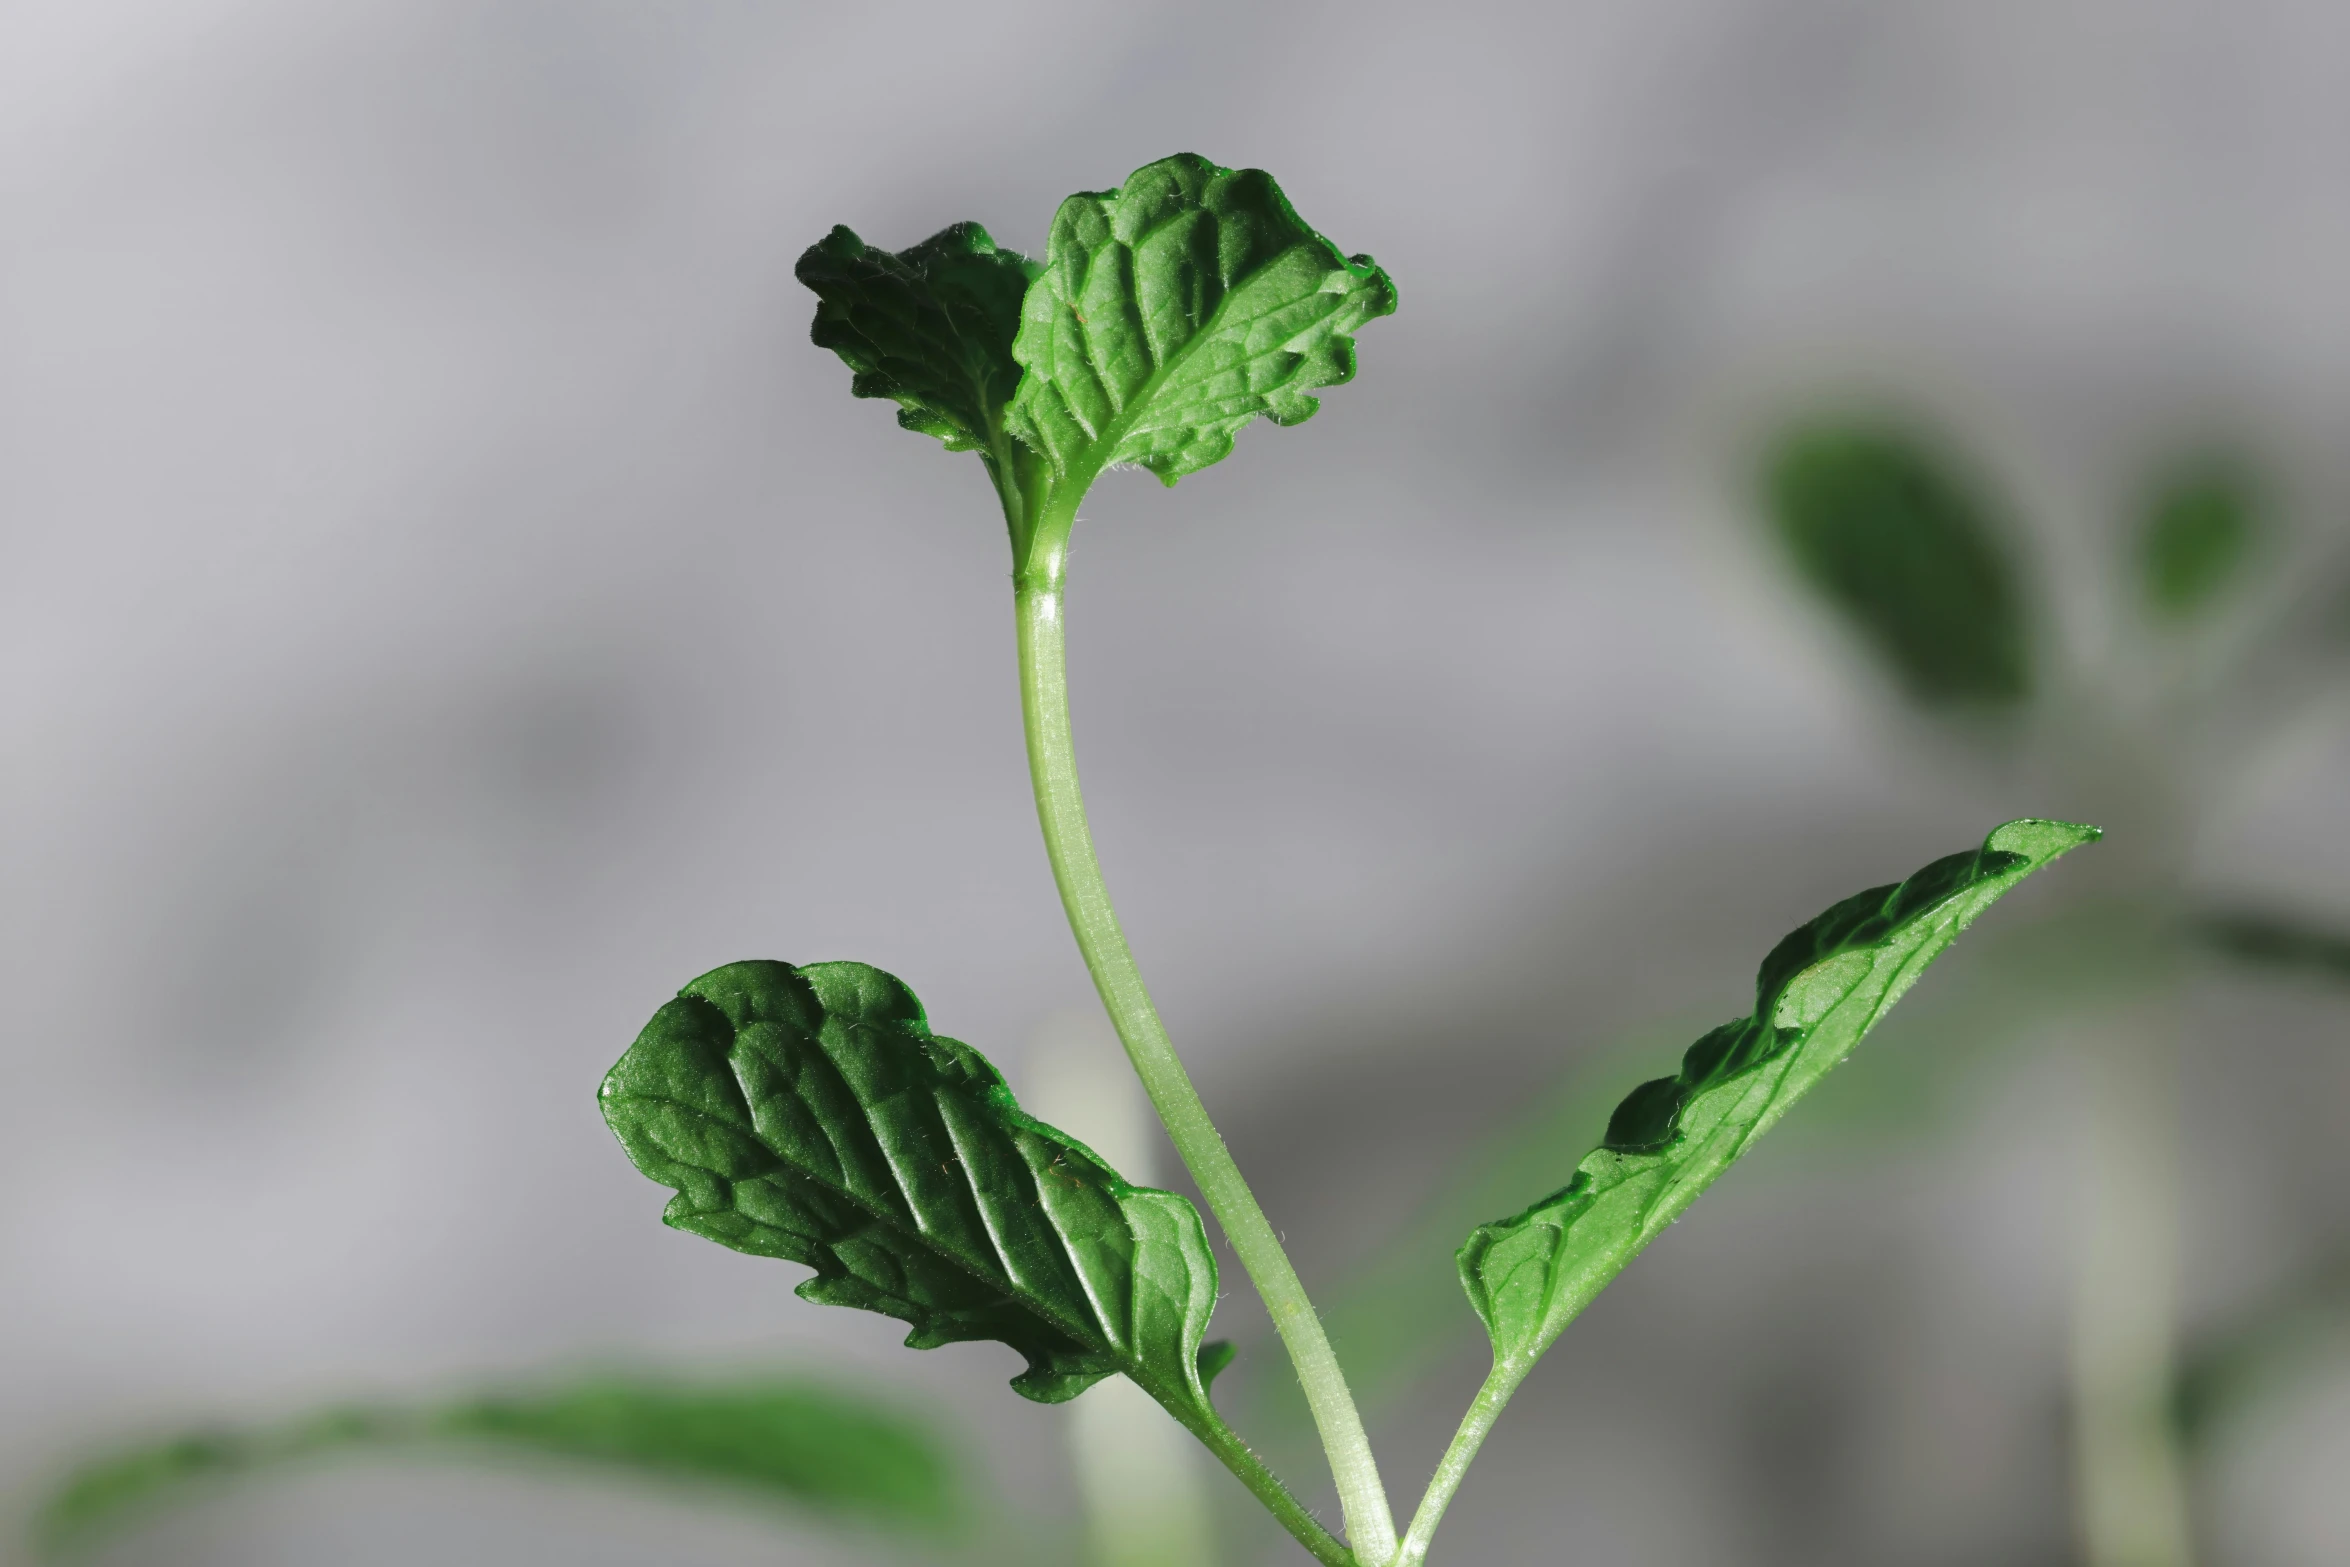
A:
{"points": [[812, 1115]]}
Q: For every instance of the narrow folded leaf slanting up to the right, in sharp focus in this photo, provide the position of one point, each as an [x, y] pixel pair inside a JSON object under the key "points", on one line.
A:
{"points": [[1818, 995]]}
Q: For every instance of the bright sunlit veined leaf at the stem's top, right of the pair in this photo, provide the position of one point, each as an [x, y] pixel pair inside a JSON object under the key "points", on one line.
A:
{"points": [[1174, 311]]}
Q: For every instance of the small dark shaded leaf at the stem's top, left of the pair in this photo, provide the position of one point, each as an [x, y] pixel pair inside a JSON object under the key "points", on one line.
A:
{"points": [[929, 328]]}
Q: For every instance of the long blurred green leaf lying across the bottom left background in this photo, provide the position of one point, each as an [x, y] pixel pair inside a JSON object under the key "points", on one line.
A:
{"points": [[767, 1437]]}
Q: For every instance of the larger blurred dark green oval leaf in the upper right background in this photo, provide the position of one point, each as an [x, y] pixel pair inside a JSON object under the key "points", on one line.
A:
{"points": [[1895, 539]]}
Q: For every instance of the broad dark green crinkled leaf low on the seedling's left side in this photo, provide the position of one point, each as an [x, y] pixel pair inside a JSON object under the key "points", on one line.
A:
{"points": [[812, 1115]]}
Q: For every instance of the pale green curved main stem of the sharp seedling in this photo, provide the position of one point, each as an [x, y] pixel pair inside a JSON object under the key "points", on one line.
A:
{"points": [[1068, 842]]}
